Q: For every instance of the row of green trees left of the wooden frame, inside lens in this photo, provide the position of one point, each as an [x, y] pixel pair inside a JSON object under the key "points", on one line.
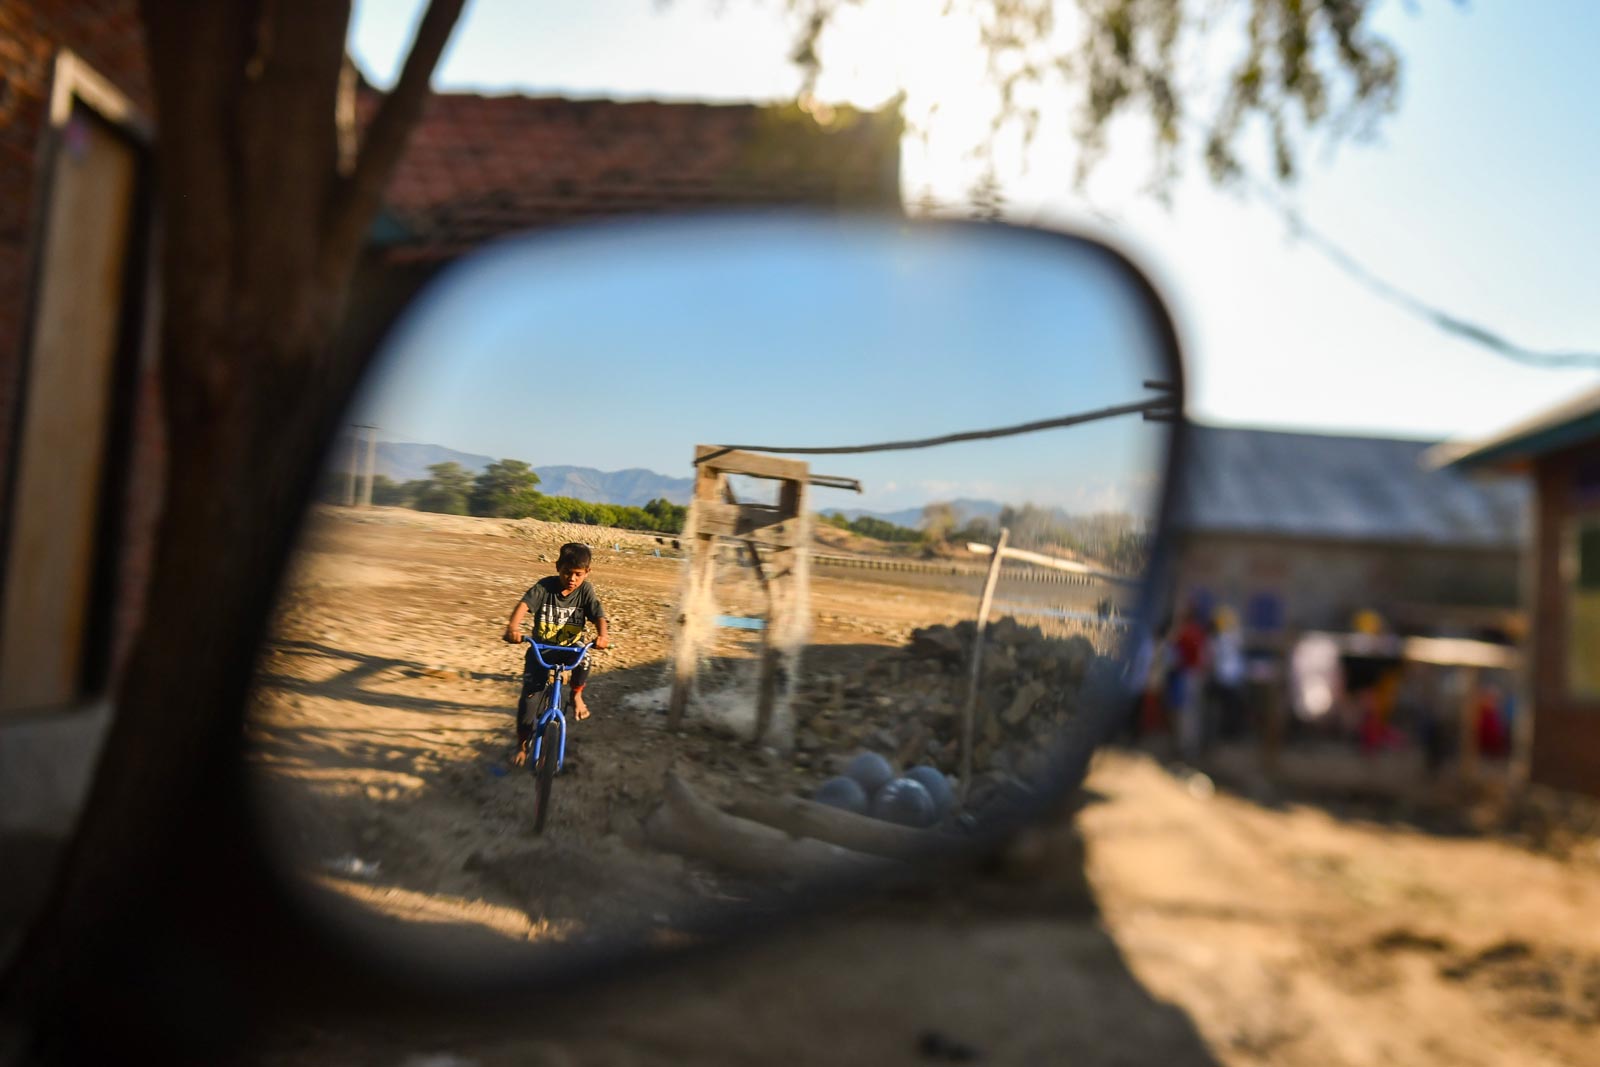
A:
{"points": [[508, 489]]}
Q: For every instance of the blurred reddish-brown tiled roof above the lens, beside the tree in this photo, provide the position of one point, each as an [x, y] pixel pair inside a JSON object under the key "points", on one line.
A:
{"points": [[479, 167]]}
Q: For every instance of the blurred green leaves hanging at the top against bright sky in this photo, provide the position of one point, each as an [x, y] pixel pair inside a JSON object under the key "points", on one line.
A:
{"points": [[1217, 71]]}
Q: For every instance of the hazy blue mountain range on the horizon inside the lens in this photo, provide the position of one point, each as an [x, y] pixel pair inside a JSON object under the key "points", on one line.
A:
{"points": [[638, 487]]}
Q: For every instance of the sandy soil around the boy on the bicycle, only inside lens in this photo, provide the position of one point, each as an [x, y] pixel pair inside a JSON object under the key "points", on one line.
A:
{"points": [[383, 729]]}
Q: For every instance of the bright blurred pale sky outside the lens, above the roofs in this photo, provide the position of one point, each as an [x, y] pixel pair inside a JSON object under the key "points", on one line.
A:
{"points": [[1474, 198]]}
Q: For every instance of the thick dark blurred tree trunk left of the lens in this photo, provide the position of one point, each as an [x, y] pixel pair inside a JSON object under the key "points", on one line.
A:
{"points": [[260, 239]]}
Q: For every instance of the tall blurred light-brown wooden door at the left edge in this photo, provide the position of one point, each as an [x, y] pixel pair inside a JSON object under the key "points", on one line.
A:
{"points": [[74, 372]]}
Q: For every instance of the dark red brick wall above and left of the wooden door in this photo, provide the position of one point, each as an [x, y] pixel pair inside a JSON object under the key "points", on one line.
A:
{"points": [[108, 36]]}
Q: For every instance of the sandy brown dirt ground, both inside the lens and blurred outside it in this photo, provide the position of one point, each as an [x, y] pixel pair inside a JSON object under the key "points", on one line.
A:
{"points": [[1214, 929]]}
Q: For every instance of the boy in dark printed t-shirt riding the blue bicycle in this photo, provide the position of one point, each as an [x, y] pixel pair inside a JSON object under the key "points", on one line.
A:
{"points": [[561, 607]]}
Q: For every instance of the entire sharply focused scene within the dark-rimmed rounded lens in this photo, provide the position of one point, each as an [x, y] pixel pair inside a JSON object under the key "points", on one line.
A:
{"points": [[601, 436]]}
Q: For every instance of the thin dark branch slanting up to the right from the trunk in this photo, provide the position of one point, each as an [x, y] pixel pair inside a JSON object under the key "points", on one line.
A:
{"points": [[359, 196]]}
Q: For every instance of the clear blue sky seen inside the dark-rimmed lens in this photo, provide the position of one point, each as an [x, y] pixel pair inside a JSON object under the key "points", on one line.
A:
{"points": [[633, 346]]}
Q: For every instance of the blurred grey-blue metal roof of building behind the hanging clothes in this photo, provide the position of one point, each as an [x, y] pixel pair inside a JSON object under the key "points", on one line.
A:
{"points": [[1346, 489]]}
